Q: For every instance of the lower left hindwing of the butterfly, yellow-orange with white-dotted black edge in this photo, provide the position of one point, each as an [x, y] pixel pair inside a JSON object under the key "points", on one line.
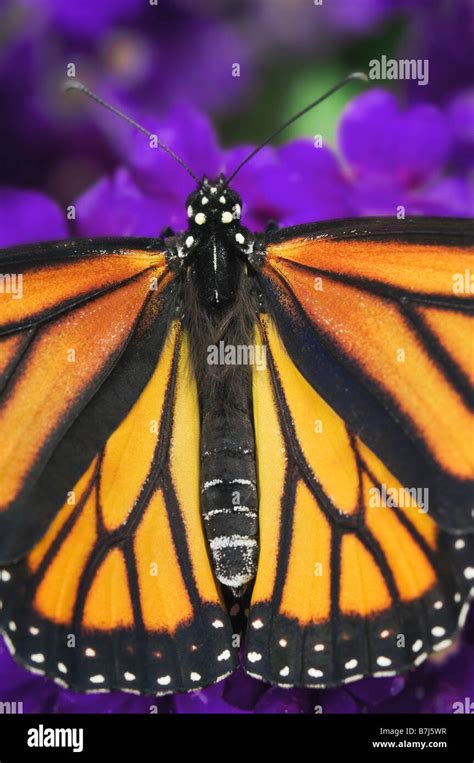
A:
{"points": [[119, 593]]}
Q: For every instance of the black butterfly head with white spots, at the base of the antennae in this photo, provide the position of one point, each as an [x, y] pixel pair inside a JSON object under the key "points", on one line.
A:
{"points": [[213, 203]]}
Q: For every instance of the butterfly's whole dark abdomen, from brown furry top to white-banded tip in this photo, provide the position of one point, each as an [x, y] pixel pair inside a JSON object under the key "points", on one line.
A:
{"points": [[228, 473]]}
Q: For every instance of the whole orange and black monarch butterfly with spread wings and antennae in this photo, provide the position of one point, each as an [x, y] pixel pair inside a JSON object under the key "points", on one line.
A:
{"points": [[249, 413]]}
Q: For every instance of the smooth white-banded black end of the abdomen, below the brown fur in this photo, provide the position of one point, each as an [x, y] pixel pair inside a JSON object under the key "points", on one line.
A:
{"points": [[229, 494]]}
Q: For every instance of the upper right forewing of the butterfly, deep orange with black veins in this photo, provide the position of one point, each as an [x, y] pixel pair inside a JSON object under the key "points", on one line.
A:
{"points": [[377, 315]]}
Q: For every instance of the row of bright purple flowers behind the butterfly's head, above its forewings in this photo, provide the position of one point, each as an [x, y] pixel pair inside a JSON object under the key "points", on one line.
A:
{"points": [[390, 160]]}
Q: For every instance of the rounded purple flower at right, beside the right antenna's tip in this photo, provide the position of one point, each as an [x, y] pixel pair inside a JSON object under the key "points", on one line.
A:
{"points": [[399, 158]]}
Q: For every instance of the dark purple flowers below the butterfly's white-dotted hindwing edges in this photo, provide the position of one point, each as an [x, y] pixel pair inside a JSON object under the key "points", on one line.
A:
{"points": [[438, 686]]}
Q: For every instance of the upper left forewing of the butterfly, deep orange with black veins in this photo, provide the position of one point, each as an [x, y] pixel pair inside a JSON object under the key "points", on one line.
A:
{"points": [[61, 336]]}
